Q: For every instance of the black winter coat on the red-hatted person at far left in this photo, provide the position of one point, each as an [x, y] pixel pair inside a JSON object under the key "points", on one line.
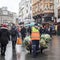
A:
{"points": [[4, 35]]}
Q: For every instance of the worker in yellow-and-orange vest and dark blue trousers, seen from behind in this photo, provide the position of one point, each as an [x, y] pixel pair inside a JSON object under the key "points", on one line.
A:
{"points": [[35, 37]]}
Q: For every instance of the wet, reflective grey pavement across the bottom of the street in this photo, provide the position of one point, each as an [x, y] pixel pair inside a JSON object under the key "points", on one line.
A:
{"points": [[52, 53]]}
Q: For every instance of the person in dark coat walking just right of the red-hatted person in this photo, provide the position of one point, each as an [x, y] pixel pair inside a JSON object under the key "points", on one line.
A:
{"points": [[14, 35]]}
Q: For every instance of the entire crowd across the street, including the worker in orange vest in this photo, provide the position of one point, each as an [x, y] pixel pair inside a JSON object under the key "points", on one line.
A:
{"points": [[35, 32]]}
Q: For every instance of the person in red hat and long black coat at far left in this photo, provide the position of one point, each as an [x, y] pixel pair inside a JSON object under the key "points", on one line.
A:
{"points": [[4, 38]]}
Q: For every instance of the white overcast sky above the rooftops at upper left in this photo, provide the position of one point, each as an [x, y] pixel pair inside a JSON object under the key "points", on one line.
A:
{"points": [[13, 5]]}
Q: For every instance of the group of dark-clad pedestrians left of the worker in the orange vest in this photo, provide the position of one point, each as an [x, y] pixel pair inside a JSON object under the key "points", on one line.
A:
{"points": [[7, 34]]}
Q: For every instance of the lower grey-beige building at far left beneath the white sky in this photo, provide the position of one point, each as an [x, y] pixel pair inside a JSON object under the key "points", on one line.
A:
{"points": [[7, 16]]}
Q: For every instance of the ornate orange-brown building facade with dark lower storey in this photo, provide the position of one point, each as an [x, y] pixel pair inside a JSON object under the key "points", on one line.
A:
{"points": [[43, 10]]}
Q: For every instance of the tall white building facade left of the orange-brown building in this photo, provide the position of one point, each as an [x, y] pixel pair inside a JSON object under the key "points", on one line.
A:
{"points": [[25, 11]]}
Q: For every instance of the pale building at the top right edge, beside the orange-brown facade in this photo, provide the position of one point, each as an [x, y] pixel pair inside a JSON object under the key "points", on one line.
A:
{"points": [[57, 10]]}
